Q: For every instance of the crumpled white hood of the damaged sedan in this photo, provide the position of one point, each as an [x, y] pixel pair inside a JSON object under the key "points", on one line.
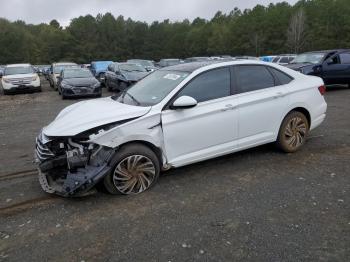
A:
{"points": [[86, 115]]}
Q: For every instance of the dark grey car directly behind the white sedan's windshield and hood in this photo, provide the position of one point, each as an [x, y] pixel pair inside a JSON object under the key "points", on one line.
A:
{"points": [[120, 76]]}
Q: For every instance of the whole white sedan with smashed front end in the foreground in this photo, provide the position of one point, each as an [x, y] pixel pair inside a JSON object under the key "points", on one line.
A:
{"points": [[174, 117]]}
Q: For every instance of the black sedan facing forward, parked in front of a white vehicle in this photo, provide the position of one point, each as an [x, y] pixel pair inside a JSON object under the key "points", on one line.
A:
{"points": [[79, 82]]}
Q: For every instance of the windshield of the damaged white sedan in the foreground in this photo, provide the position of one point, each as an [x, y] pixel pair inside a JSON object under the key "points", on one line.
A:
{"points": [[152, 89]]}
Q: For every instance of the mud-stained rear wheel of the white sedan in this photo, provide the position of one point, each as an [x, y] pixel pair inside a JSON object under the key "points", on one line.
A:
{"points": [[293, 132]]}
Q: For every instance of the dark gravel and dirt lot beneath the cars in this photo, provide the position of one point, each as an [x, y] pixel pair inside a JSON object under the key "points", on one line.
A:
{"points": [[256, 205]]}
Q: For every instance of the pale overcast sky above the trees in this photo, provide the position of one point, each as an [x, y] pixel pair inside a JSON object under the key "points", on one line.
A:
{"points": [[37, 11]]}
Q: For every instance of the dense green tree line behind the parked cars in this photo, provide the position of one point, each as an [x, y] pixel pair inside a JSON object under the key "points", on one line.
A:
{"points": [[275, 29]]}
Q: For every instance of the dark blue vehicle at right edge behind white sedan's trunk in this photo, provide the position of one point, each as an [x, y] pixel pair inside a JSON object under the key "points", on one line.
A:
{"points": [[333, 66]]}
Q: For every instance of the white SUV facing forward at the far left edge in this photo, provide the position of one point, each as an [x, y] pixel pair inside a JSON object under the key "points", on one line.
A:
{"points": [[20, 78]]}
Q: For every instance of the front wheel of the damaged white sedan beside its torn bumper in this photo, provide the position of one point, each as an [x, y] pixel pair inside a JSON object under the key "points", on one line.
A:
{"points": [[135, 169]]}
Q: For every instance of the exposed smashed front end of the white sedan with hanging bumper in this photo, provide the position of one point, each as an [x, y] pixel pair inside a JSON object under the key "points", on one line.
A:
{"points": [[70, 165]]}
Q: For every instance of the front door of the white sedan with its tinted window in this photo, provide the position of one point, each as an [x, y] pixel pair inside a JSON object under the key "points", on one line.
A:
{"points": [[204, 131]]}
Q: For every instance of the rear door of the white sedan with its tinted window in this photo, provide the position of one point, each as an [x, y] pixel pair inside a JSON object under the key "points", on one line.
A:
{"points": [[262, 101]]}
